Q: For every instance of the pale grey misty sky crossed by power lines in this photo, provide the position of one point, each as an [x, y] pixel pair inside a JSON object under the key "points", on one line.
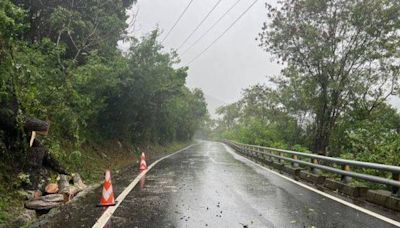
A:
{"points": [[233, 63]]}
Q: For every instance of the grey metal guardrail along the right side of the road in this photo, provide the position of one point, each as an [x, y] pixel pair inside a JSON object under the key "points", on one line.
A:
{"points": [[319, 162]]}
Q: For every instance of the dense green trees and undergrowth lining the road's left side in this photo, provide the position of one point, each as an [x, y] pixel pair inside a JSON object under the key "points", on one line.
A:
{"points": [[59, 62]]}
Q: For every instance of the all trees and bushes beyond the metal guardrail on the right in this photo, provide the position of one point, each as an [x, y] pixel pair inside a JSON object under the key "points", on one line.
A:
{"points": [[341, 68]]}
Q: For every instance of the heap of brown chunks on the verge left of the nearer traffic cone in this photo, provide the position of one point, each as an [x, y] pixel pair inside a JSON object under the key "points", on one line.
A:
{"points": [[56, 194]]}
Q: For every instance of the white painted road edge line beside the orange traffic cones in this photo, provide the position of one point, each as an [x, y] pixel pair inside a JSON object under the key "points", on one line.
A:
{"points": [[102, 221]]}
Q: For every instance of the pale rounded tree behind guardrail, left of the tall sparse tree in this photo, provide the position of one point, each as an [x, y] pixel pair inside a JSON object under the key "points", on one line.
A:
{"points": [[260, 117]]}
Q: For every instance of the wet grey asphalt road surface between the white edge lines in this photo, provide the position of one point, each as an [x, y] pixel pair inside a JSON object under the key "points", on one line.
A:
{"points": [[207, 186]]}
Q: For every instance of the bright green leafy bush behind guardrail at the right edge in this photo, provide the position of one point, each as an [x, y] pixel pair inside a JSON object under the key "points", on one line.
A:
{"points": [[373, 138]]}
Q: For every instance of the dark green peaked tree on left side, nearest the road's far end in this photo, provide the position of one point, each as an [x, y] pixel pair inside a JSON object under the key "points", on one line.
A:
{"points": [[161, 109]]}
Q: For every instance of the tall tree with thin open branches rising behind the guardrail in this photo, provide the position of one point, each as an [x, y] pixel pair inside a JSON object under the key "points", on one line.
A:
{"points": [[338, 52]]}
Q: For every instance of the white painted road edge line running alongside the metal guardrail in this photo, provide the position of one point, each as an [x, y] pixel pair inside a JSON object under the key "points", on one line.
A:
{"points": [[366, 211]]}
